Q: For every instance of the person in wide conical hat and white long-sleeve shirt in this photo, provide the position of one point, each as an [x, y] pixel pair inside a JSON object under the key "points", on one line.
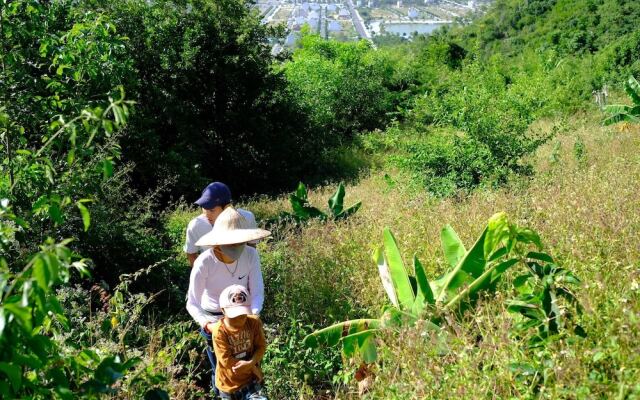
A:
{"points": [[227, 261]]}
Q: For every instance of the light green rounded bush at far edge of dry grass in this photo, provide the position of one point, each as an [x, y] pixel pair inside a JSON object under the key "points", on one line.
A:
{"points": [[493, 109]]}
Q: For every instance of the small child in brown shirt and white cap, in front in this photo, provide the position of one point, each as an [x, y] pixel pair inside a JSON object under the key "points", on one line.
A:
{"points": [[239, 344]]}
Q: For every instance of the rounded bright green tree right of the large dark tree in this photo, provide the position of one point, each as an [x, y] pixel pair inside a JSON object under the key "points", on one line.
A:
{"points": [[344, 87]]}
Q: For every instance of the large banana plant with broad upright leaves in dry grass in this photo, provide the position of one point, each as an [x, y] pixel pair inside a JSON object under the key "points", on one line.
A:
{"points": [[499, 247]]}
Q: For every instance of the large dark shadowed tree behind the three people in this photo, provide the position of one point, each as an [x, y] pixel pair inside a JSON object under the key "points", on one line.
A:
{"points": [[210, 105]]}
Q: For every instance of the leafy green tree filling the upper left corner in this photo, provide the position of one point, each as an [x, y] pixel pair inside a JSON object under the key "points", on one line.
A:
{"points": [[59, 64]]}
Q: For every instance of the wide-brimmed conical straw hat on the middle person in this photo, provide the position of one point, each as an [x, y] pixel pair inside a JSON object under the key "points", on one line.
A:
{"points": [[231, 227]]}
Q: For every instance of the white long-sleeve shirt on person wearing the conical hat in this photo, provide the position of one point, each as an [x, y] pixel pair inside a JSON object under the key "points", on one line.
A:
{"points": [[210, 276]]}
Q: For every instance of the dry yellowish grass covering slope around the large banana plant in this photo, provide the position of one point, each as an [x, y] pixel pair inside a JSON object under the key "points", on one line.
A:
{"points": [[584, 202]]}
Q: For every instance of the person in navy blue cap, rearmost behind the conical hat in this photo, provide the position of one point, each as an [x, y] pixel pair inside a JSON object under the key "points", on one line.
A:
{"points": [[214, 199]]}
